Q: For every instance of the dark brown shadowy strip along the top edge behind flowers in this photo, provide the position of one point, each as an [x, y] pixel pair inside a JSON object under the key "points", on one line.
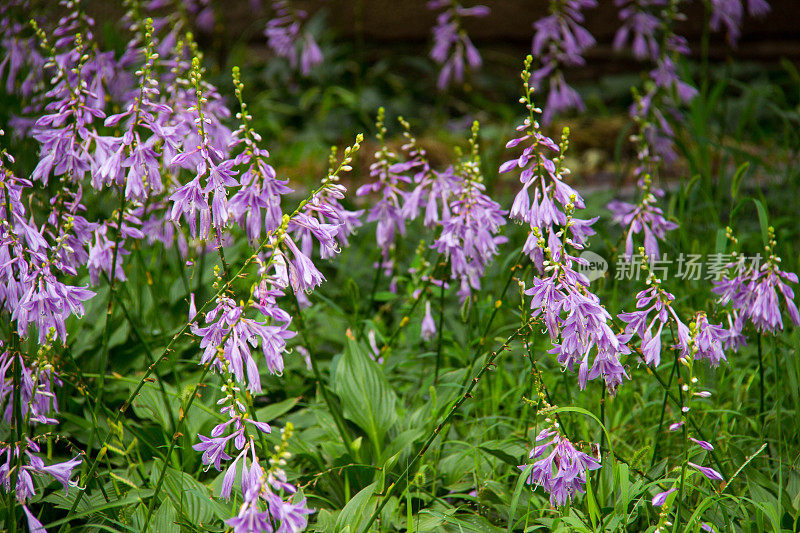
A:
{"points": [[379, 23]]}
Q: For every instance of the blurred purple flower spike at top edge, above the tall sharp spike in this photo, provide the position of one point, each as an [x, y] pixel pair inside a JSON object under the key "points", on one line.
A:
{"points": [[560, 40]]}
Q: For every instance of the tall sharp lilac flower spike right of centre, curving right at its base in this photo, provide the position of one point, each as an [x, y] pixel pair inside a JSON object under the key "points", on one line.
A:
{"points": [[576, 321]]}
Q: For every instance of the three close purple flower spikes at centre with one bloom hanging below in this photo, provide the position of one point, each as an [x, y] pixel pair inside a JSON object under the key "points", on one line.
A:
{"points": [[455, 203]]}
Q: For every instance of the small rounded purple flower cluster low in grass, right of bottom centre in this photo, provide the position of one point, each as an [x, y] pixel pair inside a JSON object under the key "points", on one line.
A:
{"points": [[560, 468]]}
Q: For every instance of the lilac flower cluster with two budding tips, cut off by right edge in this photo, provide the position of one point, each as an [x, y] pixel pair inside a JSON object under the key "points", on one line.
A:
{"points": [[755, 293]]}
